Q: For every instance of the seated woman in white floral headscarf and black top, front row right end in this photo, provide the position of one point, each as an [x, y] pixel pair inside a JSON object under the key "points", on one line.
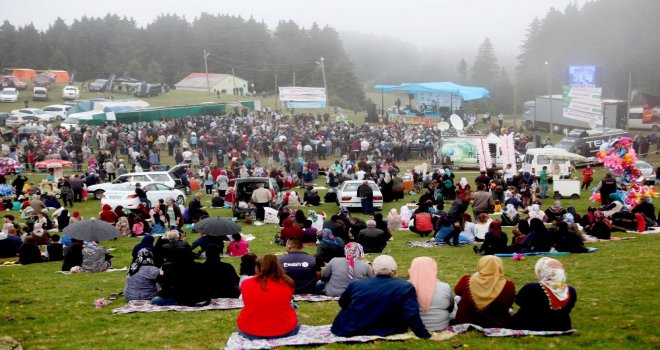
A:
{"points": [[546, 305]]}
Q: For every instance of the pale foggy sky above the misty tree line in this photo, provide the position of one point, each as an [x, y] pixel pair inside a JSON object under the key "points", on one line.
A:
{"points": [[453, 24]]}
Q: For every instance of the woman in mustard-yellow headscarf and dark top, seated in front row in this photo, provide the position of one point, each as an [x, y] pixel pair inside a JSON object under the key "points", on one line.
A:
{"points": [[486, 296]]}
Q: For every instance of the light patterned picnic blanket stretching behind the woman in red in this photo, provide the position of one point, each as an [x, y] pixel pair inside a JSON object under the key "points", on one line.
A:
{"points": [[216, 304]]}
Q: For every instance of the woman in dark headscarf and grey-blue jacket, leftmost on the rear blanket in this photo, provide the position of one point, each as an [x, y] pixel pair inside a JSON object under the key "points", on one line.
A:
{"points": [[141, 277]]}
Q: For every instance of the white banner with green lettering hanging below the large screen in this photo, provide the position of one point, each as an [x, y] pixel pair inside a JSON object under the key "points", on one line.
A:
{"points": [[583, 104]]}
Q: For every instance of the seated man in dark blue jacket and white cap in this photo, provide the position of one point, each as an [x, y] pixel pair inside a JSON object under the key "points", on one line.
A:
{"points": [[381, 306]]}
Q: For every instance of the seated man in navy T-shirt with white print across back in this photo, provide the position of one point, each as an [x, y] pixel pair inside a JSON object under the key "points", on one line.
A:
{"points": [[301, 267]]}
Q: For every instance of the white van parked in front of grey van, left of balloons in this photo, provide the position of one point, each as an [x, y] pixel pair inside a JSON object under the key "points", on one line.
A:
{"points": [[560, 162]]}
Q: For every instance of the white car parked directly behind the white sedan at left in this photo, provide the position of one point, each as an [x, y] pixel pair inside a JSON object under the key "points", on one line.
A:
{"points": [[169, 178]]}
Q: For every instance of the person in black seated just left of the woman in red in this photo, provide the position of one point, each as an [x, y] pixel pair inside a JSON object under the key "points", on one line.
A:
{"points": [[221, 278]]}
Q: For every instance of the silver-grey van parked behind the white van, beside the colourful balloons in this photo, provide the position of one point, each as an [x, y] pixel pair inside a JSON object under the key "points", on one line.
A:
{"points": [[587, 142]]}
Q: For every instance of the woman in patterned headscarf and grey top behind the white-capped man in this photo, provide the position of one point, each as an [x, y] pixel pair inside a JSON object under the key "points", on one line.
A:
{"points": [[339, 272]]}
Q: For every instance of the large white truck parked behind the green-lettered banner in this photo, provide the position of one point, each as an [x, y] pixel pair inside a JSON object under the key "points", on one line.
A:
{"points": [[536, 115]]}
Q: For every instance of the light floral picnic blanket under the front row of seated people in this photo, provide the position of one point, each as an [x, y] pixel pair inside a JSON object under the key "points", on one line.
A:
{"points": [[315, 335]]}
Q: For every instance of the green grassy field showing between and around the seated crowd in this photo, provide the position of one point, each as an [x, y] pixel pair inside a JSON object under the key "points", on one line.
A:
{"points": [[617, 305]]}
